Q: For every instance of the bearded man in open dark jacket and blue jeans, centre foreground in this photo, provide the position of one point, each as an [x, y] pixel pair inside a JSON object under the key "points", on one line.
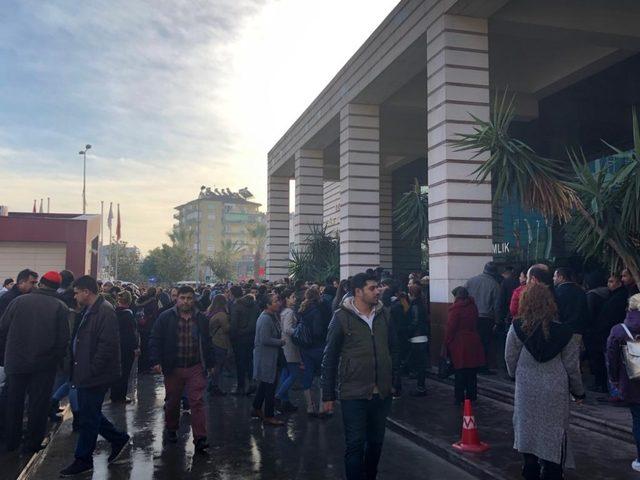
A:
{"points": [[362, 345]]}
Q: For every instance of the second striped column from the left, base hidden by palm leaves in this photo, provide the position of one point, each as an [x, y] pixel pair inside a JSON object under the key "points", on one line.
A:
{"points": [[309, 191]]}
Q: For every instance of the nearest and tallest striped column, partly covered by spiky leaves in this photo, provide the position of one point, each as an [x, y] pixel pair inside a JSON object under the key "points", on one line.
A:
{"points": [[460, 227]]}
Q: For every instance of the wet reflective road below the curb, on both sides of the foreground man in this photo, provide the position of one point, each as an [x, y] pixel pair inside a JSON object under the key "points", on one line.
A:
{"points": [[241, 448]]}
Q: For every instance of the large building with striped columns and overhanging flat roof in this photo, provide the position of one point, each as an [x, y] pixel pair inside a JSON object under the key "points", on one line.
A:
{"points": [[389, 114]]}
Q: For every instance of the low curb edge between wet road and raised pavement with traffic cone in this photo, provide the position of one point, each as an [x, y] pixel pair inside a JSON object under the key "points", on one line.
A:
{"points": [[443, 449]]}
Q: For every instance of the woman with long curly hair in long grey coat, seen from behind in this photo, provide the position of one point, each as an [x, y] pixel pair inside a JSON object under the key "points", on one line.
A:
{"points": [[543, 355]]}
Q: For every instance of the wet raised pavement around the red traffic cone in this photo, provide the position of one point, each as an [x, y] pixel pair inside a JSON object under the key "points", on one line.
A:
{"points": [[435, 421]]}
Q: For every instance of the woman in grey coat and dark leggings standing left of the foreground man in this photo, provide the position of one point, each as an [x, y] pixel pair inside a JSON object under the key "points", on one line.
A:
{"points": [[267, 348]]}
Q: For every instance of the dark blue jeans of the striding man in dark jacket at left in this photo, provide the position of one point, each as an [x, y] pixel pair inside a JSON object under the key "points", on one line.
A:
{"points": [[94, 423]]}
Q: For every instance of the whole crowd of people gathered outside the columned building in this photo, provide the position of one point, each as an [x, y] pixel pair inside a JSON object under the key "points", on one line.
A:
{"points": [[352, 340]]}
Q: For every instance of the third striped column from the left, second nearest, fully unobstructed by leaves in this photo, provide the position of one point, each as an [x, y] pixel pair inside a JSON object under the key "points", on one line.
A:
{"points": [[360, 188]]}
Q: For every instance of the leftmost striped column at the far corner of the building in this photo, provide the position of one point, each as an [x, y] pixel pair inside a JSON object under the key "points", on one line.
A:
{"points": [[277, 227]]}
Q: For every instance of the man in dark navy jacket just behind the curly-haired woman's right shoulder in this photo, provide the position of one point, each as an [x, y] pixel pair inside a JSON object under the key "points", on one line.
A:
{"points": [[571, 300]]}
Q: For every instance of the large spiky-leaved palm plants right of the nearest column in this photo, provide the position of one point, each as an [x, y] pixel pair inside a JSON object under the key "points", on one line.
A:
{"points": [[602, 207]]}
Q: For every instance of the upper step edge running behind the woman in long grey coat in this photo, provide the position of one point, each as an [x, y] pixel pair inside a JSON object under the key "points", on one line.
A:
{"points": [[578, 419]]}
